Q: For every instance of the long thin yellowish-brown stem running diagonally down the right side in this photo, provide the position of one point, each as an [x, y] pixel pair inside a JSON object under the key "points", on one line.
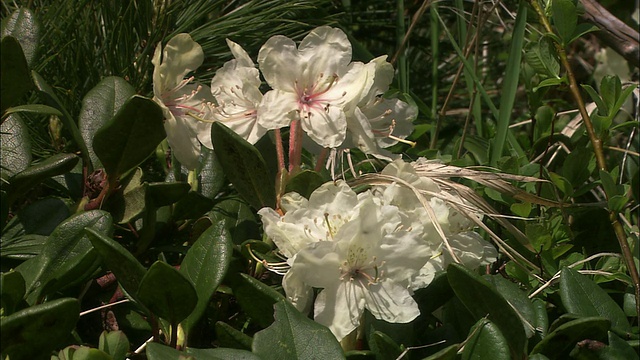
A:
{"points": [[596, 142]]}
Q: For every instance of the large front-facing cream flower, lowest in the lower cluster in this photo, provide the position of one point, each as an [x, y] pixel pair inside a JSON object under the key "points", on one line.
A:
{"points": [[368, 265]]}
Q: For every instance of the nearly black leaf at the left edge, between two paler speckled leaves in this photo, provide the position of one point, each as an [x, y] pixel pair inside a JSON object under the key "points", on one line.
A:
{"points": [[14, 77]]}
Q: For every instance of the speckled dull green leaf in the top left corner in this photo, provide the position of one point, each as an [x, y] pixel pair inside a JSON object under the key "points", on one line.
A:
{"points": [[23, 25]]}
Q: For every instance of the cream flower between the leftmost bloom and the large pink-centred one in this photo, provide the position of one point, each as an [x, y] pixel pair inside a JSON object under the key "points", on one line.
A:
{"points": [[236, 90]]}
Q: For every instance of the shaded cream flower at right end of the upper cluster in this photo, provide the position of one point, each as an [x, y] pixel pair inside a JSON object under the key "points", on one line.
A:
{"points": [[377, 123]]}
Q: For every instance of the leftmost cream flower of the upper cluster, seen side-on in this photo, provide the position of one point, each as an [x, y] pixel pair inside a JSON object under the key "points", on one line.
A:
{"points": [[182, 102]]}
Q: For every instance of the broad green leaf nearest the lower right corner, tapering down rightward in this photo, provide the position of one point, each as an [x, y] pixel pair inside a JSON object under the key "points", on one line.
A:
{"points": [[583, 297]]}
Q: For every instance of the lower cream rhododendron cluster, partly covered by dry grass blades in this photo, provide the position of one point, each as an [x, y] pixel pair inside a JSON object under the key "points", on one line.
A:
{"points": [[369, 250]]}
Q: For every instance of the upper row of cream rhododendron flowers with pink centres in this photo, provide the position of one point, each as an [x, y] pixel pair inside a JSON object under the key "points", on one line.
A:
{"points": [[337, 102]]}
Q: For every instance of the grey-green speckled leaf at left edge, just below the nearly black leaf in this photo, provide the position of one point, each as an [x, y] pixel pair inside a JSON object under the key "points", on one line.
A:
{"points": [[16, 146]]}
